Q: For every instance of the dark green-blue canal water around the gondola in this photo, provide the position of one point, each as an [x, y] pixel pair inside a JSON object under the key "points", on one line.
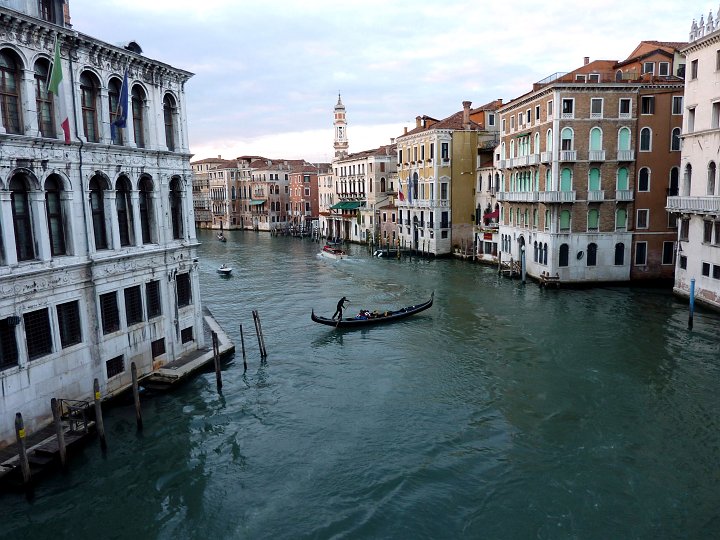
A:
{"points": [[504, 411]]}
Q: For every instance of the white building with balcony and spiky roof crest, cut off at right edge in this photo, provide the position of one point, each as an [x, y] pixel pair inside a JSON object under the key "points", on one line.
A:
{"points": [[696, 204]]}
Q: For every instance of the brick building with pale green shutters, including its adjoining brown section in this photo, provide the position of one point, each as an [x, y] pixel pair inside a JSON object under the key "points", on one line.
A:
{"points": [[586, 161]]}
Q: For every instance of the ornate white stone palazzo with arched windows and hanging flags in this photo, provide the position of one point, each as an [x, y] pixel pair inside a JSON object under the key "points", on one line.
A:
{"points": [[98, 263]]}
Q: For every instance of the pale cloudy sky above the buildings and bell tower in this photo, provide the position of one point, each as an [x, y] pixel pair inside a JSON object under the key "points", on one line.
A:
{"points": [[268, 73]]}
